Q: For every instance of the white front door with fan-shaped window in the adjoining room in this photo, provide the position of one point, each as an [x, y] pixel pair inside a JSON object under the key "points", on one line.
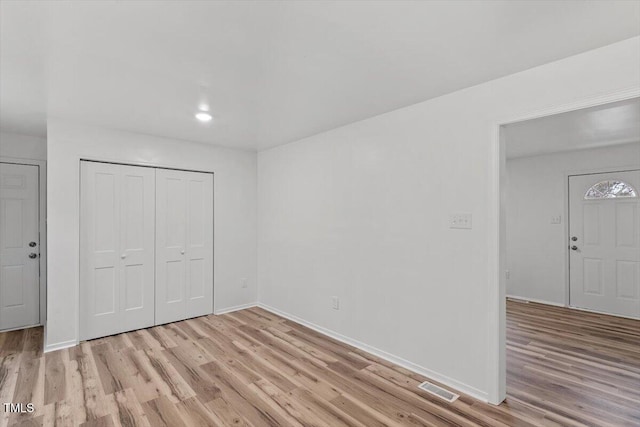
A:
{"points": [[604, 270]]}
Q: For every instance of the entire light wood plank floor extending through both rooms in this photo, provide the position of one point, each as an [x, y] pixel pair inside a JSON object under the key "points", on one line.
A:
{"points": [[254, 368]]}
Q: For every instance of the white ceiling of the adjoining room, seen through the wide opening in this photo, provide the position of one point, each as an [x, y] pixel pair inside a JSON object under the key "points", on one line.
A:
{"points": [[601, 126]]}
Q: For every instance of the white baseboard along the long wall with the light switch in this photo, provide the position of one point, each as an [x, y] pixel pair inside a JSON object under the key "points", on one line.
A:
{"points": [[450, 382]]}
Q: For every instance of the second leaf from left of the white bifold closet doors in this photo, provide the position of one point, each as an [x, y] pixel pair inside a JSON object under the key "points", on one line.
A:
{"points": [[137, 240]]}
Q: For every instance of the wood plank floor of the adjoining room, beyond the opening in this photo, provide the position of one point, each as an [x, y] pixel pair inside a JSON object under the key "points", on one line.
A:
{"points": [[576, 366]]}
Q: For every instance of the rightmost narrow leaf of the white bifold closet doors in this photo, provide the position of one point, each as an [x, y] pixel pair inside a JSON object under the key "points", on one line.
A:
{"points": [[199, 244]]}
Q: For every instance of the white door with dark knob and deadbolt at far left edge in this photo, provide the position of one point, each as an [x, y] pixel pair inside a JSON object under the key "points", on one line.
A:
{"points": [[19, 246]]}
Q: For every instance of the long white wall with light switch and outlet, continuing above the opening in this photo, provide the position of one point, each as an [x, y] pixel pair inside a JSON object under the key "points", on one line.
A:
{"points": [[361, 212]]}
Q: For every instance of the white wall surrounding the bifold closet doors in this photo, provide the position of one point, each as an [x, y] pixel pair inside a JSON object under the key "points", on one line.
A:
{"points": [[234, 212]]}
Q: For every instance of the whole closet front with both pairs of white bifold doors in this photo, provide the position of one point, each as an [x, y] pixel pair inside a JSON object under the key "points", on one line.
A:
{"points": [[146, 247]]}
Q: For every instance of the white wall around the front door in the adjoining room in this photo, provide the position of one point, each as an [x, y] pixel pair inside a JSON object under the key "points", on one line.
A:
{"points": [[536, 248]]}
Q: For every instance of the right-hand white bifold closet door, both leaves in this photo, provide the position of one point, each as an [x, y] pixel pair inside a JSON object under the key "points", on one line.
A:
{"points": [[184, 245]]}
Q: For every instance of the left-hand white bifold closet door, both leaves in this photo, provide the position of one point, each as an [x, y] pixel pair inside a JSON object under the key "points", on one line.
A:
{"points": [[117, 235]]}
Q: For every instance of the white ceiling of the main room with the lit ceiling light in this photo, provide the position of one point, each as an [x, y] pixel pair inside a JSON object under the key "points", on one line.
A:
{"points": [[272, 72]]}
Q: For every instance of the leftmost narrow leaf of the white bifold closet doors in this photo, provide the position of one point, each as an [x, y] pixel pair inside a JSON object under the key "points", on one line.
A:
{"points": [[100, 269]]}
